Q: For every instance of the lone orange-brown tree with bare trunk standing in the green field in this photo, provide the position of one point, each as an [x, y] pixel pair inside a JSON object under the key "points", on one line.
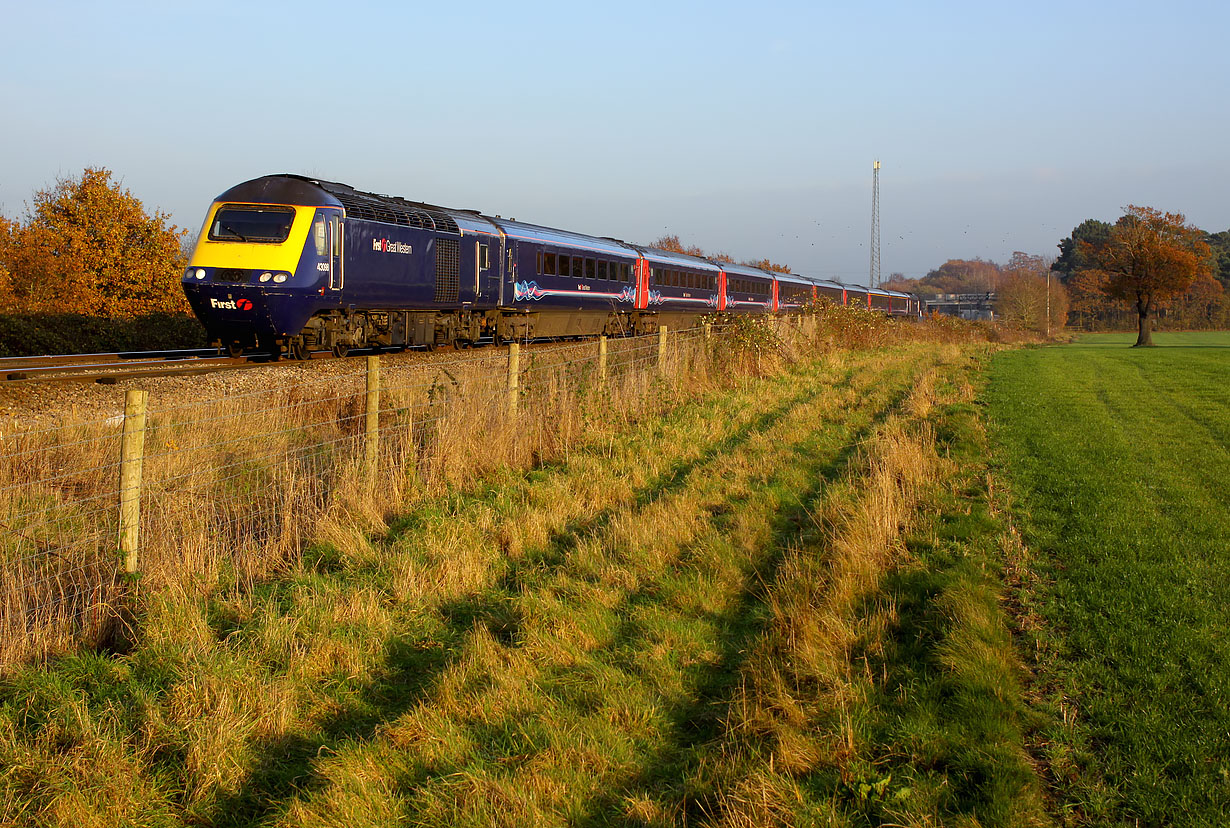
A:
{"points": [[1148, 258]]}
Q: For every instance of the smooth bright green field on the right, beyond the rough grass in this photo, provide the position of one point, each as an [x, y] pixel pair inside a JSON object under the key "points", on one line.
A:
{"points": [[1120, 467]]}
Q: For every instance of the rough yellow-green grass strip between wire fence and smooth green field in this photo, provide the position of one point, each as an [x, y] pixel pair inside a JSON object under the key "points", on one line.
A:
{"points": [[778, 605]]}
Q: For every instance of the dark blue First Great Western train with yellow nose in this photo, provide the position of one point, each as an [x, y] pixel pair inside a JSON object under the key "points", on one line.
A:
{"points": [[287, 265]]}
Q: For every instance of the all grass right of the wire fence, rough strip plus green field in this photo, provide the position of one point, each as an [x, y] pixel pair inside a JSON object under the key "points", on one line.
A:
{"points": [[819, 595]]}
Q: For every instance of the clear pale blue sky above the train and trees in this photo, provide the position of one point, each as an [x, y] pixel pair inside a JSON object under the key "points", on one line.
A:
{"points": [[744, 127]]}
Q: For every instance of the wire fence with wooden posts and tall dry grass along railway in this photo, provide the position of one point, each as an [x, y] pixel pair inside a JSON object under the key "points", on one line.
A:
{"points": [[234, 488]]}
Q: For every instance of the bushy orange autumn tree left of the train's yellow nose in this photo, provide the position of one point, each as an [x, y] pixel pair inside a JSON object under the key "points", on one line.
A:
{"points": [[88, 247]]}
